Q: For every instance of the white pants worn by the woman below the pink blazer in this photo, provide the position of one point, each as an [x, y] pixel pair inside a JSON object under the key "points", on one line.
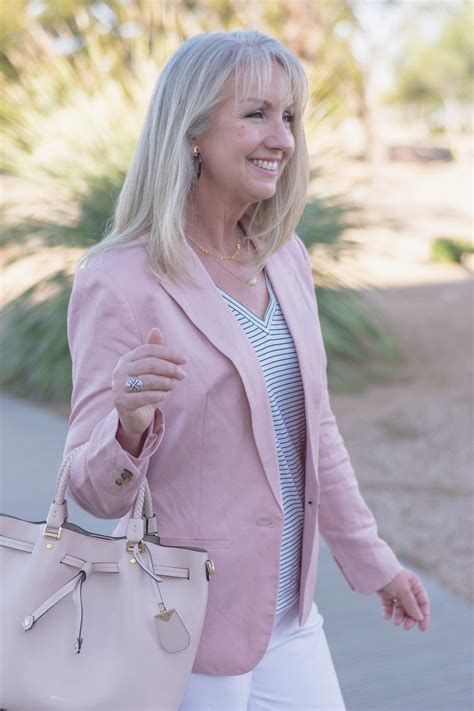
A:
{"points": [[296, 672]]}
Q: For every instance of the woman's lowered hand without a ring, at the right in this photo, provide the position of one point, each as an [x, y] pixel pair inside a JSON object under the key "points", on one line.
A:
{"points": [[406, 597]]}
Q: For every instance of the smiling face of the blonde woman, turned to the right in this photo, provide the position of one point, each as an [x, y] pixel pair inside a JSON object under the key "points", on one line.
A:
{"points": [[243, 133]]}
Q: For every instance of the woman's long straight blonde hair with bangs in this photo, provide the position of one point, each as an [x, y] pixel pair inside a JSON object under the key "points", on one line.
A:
{"points": [[155, 193]]}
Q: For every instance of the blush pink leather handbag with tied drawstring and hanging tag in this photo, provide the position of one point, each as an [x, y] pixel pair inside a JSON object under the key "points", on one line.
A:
{"points": [[91, 621]]}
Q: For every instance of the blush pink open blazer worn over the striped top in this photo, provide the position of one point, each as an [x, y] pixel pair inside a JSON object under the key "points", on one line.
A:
{"points": [[210, 452]]}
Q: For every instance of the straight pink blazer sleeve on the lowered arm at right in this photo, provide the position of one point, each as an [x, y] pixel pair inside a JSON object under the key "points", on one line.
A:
{"points": [[345, 521]]}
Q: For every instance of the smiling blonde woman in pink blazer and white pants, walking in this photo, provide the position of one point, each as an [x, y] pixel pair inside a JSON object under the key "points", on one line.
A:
{"points": [[198, 361]]}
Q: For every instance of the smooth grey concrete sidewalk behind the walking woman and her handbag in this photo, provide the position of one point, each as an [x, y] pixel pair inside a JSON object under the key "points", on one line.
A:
{"points": [[380, 667]]}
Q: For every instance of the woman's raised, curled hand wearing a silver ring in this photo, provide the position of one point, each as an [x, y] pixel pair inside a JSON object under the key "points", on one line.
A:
{"points": [[159, 369]]}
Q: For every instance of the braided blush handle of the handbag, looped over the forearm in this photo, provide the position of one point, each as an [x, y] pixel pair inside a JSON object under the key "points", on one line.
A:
{"points": [[142, 521]]}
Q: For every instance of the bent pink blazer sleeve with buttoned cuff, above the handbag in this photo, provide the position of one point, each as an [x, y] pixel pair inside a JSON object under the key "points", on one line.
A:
{"points": [[101, 328]]}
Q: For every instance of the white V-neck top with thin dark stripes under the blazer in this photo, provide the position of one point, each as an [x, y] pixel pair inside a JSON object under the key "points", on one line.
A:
{"points": [[275, 350]]}
